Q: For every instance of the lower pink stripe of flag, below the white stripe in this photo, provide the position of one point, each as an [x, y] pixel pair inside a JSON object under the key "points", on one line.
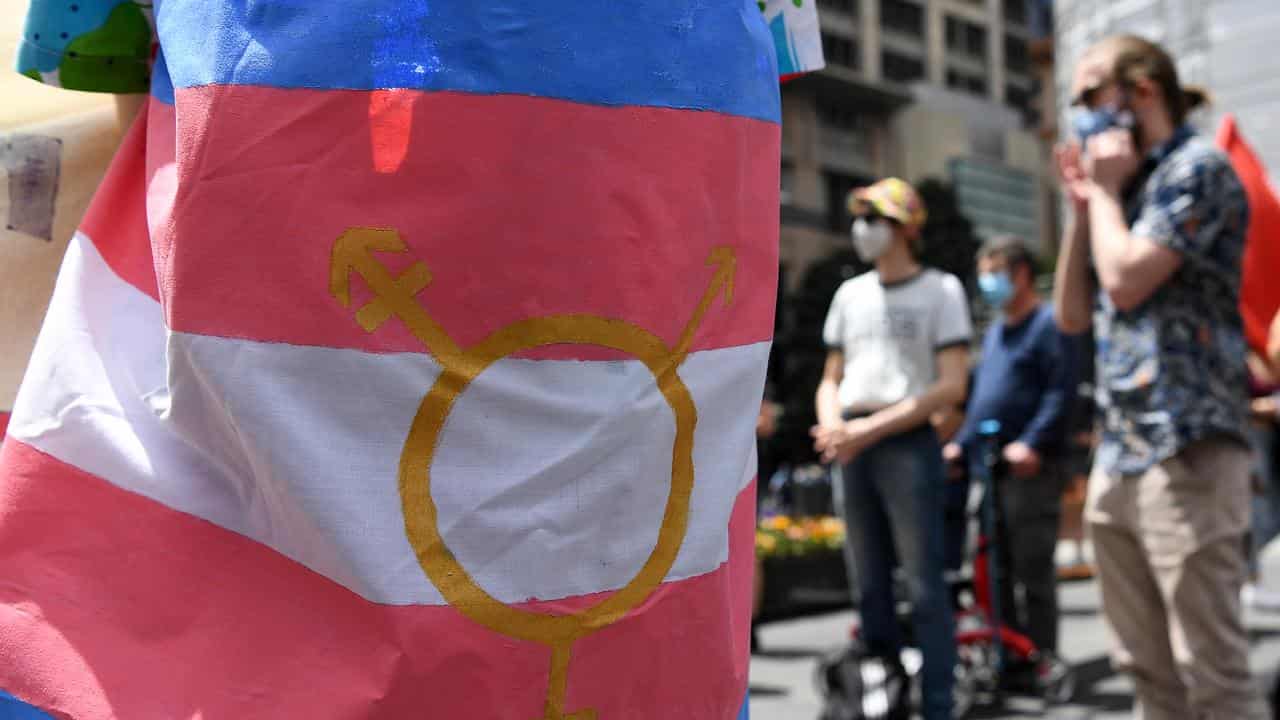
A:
{"points": [[115, 607]]}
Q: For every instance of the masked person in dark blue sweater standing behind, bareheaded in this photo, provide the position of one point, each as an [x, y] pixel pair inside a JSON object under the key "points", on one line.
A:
{"points": [[1026, 379]]}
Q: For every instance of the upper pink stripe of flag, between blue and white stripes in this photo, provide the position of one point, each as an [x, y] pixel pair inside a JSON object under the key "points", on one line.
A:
{"points": [[520, 208]]}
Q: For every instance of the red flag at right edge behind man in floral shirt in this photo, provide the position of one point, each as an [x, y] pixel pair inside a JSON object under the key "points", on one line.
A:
{"points": [[1260, 298]]}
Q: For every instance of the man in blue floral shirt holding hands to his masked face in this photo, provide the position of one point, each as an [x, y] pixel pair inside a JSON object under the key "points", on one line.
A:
{"points": [[1153, 258]]}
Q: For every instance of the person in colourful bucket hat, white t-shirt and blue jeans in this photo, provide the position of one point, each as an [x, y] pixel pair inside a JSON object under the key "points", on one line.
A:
{"points": [[898, 344]]}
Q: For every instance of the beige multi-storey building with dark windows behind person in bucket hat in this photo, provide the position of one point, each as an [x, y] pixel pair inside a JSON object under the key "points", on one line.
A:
{"points": [[917, 89]]}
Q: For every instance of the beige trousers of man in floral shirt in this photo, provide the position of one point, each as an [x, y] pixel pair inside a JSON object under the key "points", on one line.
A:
{"points": [[1171, 560]]}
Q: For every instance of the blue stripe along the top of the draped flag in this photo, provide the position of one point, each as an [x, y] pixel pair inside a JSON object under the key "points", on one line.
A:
{"points": [[687, 54]]}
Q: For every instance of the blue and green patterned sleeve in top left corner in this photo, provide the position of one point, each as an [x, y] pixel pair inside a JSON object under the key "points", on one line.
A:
{"points": [[92, 45]]}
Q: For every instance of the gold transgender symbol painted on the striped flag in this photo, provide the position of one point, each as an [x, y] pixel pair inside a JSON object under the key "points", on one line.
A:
{"points": [[395, 297]]}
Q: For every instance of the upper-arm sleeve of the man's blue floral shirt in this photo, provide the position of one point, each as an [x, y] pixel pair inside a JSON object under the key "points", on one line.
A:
{"points": [[1191, 208]]}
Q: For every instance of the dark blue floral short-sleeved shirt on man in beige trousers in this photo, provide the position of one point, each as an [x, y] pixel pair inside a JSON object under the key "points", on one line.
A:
{"points": [[1172, 371]]}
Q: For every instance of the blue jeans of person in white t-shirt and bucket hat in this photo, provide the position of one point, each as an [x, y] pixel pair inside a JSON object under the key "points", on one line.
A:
{"points": [[893, 500]]}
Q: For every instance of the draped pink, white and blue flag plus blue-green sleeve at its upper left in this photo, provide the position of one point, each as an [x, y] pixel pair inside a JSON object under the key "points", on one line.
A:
{"points": [[406, 366]]}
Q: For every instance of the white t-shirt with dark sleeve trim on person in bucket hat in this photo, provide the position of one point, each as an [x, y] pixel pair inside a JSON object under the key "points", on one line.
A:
{"points": [[892, 334]]}
